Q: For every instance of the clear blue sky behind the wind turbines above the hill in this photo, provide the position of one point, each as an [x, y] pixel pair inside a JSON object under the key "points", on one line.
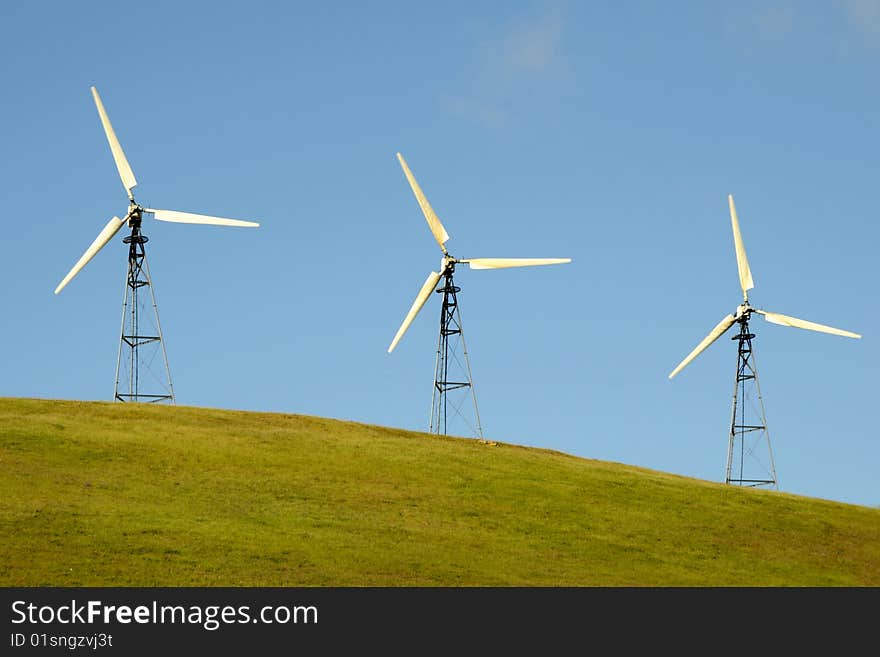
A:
{"points": [[610, 133]]}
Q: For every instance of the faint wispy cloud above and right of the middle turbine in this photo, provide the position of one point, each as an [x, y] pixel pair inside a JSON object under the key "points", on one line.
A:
{"points": [[520, 59]]}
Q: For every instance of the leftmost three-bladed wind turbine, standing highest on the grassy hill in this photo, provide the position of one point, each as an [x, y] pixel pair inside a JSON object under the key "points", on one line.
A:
{"points": [[138, 274]]}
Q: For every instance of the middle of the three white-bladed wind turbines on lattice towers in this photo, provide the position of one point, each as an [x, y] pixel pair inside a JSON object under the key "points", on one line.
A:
{"points": [[450, 315]]}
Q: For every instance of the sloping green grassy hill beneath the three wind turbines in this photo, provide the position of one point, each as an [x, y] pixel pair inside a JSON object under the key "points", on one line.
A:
{"points": [[108, 494]]}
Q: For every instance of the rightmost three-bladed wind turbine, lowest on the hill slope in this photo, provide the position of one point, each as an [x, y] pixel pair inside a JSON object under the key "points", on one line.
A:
{"points": [[739, 444]]}
